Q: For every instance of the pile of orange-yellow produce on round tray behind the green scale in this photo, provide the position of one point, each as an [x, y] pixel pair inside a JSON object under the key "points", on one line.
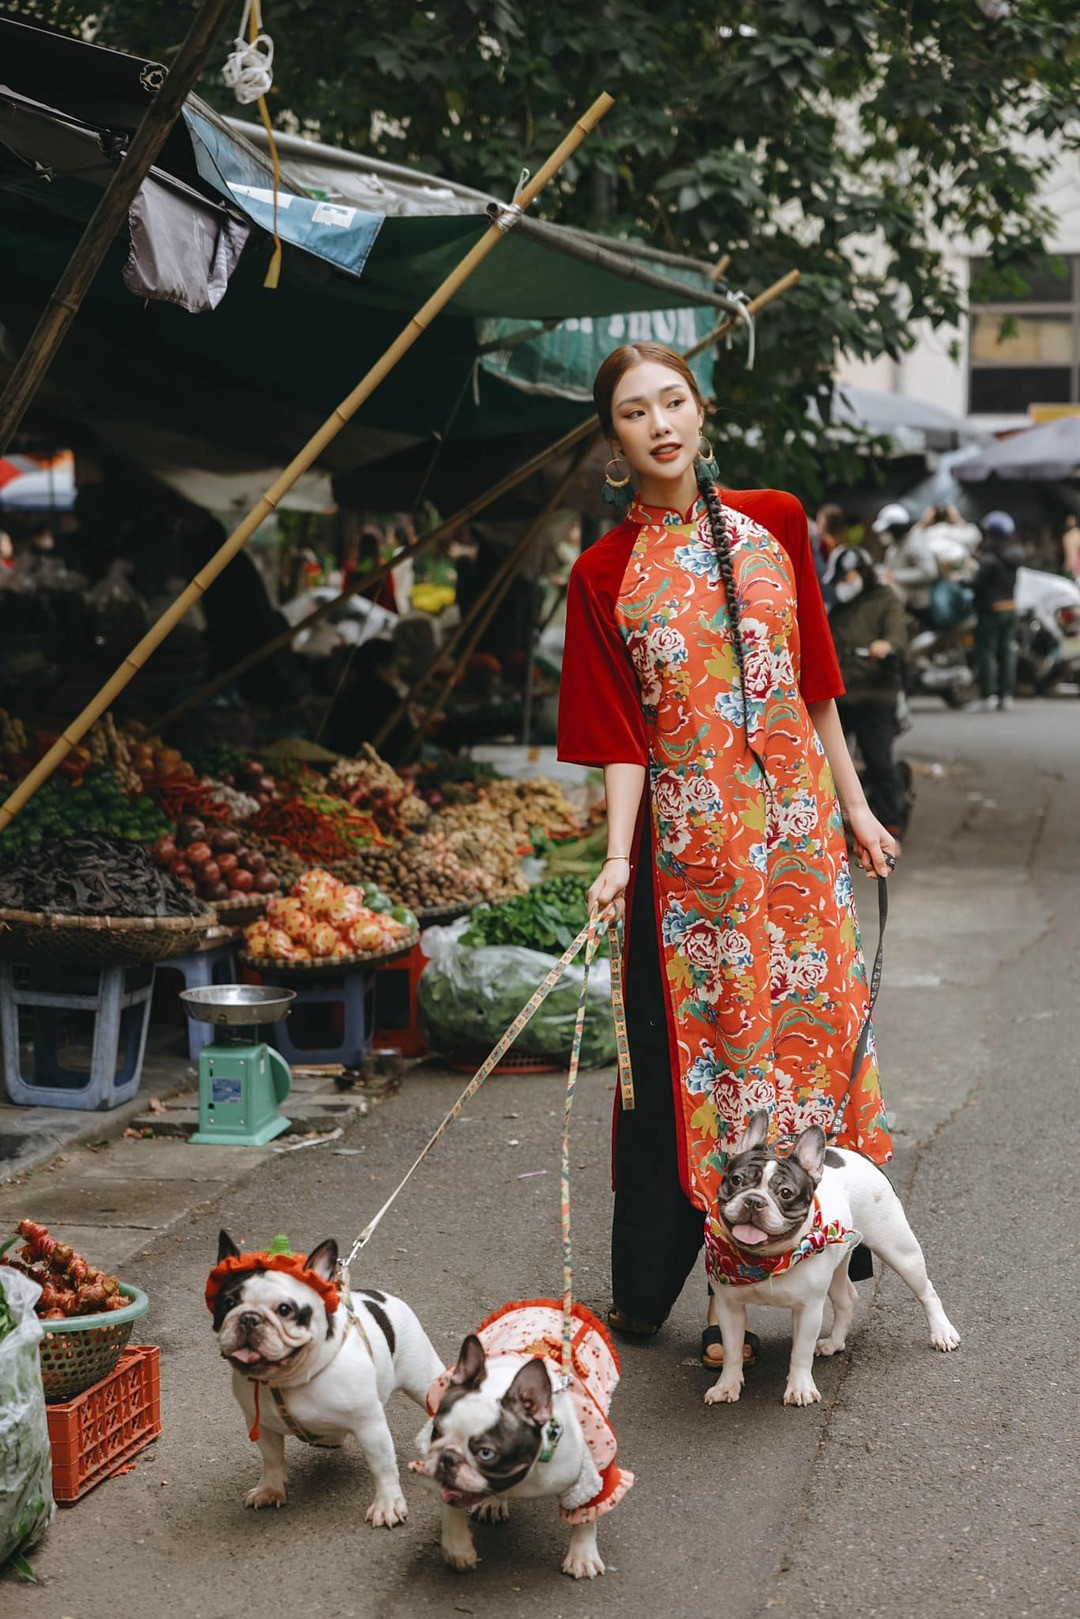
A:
{"points": [[325, 920]]}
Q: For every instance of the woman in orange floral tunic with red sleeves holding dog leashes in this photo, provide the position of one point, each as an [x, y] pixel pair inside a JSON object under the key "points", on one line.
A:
{"points": [[699, 661]]}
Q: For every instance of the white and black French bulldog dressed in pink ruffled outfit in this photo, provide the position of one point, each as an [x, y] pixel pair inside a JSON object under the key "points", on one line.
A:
{"points": [[490, 1443]]}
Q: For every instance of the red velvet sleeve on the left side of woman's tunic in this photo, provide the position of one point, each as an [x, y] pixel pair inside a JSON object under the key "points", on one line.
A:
{"points": [[600, 707]]}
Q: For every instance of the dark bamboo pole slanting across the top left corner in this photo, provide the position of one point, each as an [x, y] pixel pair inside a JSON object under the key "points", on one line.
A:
{"points": [[106, 219]]}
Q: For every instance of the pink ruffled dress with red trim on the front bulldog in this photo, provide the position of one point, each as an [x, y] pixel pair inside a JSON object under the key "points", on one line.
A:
{"points": [[534, 1328]]}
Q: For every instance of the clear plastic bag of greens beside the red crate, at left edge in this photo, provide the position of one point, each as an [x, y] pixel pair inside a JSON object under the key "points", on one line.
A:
{"points": [[27, 1506]]}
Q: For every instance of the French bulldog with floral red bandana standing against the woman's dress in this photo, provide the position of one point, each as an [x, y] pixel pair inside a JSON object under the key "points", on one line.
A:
{"points": [[767, 1209]]}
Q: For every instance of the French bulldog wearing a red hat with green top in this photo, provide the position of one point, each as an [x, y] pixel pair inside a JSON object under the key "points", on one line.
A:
{"points": [[278, 1335]]}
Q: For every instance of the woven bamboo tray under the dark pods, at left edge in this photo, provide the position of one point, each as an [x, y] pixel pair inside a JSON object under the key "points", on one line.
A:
{"points": [[100, 941]]}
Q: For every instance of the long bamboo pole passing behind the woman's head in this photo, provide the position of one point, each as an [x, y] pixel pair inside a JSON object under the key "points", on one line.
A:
{"points": [[453, 524]]}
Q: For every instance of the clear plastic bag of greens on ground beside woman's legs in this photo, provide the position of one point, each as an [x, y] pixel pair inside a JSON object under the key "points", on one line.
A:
{"points": [[469, 998]]}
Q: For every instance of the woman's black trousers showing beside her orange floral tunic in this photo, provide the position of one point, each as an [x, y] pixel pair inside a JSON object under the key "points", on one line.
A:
{"points": [[657, 1231]]}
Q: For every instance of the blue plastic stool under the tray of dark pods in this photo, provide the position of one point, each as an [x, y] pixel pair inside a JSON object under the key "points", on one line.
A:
{"points": [[119, 1000]]}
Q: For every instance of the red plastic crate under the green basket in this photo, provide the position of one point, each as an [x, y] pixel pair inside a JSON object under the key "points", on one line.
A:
{"points": [[98, 1432]]}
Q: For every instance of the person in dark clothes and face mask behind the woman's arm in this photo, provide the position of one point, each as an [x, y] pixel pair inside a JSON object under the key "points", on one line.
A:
{"points": [[870, 637]]}
